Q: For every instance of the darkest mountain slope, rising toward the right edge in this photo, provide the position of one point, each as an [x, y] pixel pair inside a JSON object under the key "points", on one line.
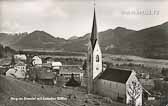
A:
{"points": [[151, 42]]}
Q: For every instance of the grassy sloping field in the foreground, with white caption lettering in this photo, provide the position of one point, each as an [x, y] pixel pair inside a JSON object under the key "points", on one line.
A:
{"points": [[14, 88]]}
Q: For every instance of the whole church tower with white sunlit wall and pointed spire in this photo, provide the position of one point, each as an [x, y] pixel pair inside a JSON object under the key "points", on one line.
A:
{"points": [[94, 58]]}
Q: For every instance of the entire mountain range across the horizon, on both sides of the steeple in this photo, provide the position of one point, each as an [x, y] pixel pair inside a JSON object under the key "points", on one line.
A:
{"points": [[150, 42]]}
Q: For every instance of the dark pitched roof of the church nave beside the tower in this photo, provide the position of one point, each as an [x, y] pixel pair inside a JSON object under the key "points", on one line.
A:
{"points": [[116, 75]]}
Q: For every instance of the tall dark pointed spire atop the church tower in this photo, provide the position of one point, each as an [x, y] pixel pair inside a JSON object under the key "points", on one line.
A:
{"points": [[93, 37]]}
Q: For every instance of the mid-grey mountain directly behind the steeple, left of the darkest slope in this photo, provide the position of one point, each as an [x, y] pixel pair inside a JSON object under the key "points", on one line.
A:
{"points": [[108, 39]]}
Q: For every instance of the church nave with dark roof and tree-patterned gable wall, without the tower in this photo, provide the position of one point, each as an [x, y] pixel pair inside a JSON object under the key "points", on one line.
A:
{"points": [[119, 84]]}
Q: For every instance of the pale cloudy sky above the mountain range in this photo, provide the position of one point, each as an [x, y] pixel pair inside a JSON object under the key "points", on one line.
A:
{"points": [[66, 18]]}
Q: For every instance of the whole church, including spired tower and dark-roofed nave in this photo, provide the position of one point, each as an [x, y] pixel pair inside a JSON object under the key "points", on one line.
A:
{"points": [[120, 85]]}
